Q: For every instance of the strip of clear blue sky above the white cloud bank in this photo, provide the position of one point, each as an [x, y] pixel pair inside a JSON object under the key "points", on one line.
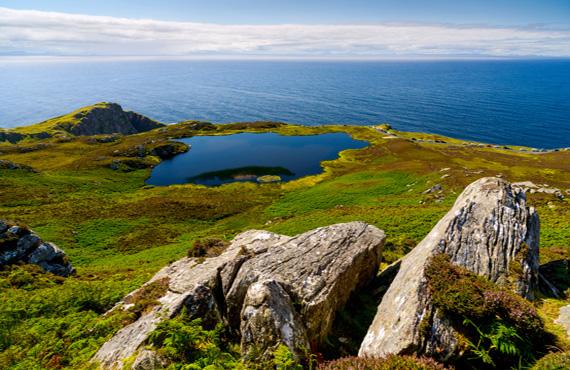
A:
{"points": [[498, 12]]}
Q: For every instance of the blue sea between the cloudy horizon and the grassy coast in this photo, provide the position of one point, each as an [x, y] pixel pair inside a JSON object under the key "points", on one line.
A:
{"points": [[523, 102]]}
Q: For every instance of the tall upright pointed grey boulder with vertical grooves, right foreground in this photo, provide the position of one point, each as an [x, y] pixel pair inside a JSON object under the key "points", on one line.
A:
{"points": [[488, 229]]}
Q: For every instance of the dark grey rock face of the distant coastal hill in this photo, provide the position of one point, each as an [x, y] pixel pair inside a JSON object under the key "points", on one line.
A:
{"points": [[110, 118]]}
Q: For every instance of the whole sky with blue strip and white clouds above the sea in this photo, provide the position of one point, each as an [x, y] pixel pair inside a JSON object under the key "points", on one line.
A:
{"points": [[293, 28]]}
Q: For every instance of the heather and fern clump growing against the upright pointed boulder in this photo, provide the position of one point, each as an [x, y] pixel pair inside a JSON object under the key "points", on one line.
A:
{"points": [[498, 327]]}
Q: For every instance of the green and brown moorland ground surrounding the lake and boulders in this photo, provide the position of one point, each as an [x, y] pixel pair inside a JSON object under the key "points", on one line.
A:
{"points": [[119, 231]]}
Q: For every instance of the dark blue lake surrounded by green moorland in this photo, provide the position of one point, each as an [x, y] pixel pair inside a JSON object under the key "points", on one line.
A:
{"points": [[216, 160]]}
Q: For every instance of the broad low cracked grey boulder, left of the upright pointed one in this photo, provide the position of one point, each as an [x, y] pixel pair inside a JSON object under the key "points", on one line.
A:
{"points": [[269, 288]]}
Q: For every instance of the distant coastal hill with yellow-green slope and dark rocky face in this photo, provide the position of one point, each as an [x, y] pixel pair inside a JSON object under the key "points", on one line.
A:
{"points": [[101, 118]]}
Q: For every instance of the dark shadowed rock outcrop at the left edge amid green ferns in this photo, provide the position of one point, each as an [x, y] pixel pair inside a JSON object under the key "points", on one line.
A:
{"points": [[20, 244]]}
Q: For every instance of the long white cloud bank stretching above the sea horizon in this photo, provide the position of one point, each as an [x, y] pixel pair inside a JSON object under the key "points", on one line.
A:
{"points": [[28, 32]]}
